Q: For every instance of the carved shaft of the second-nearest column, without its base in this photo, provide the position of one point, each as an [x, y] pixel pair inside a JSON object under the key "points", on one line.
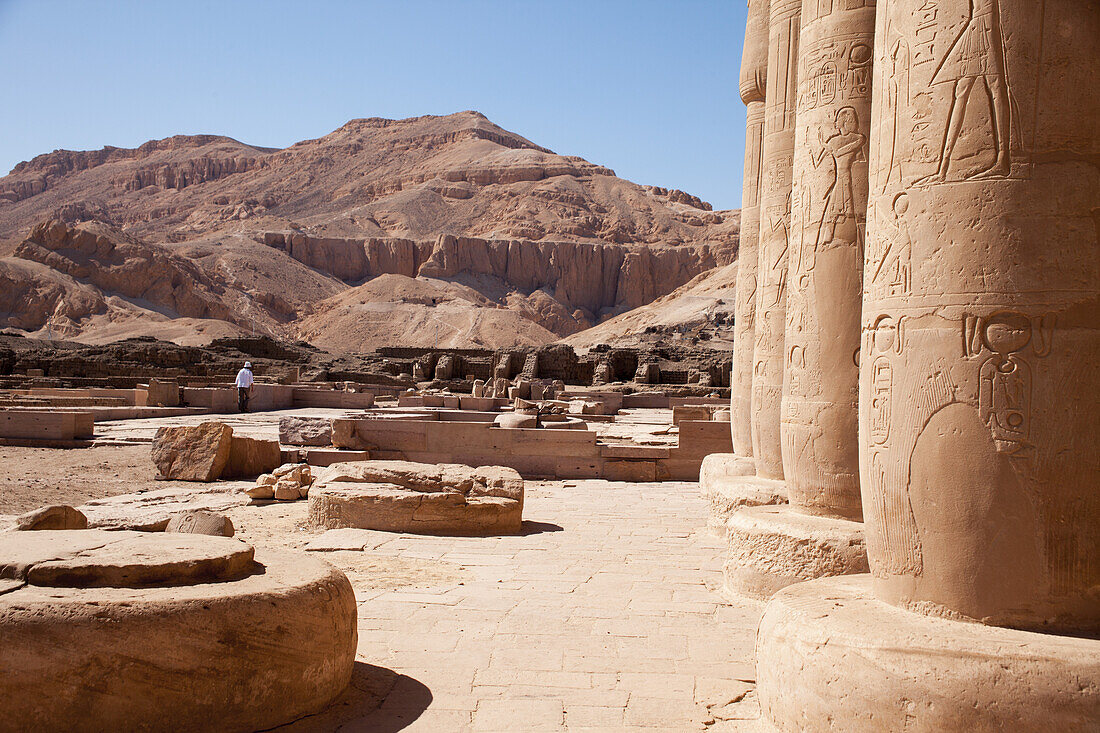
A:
{"points": [[829, 228]]}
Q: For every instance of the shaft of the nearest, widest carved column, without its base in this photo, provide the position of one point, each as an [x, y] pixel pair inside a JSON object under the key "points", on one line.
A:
{"points": [[980, 376]]}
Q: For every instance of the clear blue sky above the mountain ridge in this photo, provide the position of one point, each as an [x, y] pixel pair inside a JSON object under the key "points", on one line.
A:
{"points": [[646, 87]]}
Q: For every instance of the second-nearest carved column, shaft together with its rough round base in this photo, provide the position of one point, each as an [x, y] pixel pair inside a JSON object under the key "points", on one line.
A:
{"points": [[819, 534]]}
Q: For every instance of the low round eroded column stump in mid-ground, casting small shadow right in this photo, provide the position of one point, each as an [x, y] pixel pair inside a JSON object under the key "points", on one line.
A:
{"points": [[419, 498]]}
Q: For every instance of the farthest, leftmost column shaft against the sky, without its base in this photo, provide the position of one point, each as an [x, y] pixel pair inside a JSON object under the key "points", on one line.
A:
{"points": [[754, 73]]}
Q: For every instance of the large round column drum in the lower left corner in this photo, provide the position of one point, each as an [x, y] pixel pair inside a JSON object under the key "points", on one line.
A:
{"points": [[126, 631]]}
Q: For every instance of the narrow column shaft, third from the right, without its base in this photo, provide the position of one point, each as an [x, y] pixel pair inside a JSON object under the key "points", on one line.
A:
{"points": [[775, 226]]}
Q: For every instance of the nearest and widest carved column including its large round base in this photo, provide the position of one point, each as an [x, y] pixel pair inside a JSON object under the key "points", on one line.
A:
{"points": [[980, 391]]}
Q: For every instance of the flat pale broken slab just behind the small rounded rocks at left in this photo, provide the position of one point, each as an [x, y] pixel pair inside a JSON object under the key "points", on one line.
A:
{"points": [[151, 511]]}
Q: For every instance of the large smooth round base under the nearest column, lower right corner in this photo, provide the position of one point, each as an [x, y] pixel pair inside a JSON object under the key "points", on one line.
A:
{"points": [[831, 658]]}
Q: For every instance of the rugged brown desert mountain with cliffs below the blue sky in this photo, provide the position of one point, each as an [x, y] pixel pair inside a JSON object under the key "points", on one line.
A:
{"points": [[424, 232]]}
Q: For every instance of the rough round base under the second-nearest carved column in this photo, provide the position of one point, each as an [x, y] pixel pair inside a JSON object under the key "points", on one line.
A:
{"points": [[773, 548]]}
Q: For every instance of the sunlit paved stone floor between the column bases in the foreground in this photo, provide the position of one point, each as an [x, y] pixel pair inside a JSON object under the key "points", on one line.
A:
{"points": [[603, 618]]}
